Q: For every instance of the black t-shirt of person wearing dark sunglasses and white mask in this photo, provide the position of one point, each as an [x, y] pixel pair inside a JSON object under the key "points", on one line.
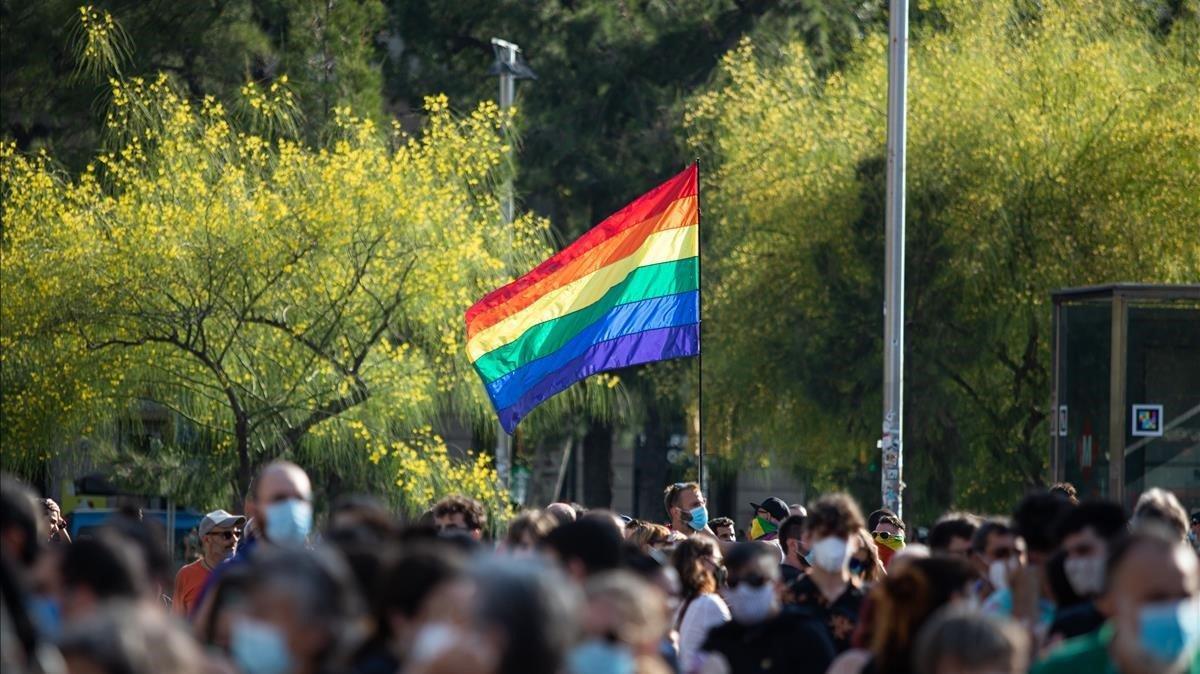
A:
{"points": [[791, 642]]}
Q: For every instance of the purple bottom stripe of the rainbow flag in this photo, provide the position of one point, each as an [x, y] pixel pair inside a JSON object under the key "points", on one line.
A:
{"points": [[623, 352]]}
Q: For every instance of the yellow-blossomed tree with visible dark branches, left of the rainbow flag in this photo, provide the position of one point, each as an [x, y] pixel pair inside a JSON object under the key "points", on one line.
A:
{"points": [[278, 299]]}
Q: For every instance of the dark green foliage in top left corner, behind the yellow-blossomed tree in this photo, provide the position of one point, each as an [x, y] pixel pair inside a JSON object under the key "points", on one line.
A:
{"points": [[328, 49]]}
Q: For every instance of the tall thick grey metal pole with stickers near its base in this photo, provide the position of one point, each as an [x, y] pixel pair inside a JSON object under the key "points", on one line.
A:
{"points": [[893, 310]]}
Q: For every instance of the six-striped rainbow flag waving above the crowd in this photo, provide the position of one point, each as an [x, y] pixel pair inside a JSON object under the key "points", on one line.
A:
{"points": [[626, 293]]}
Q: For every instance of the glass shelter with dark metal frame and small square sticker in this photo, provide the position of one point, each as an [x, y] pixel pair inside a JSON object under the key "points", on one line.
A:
{"points": [[1126, 392]]}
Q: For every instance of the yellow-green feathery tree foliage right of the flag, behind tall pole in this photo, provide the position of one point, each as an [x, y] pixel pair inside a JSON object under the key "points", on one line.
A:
{"points": [[1046, 151]]}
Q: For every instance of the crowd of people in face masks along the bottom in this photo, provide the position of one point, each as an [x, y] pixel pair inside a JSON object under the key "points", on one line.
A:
{"points": [[1060, 587]]}
